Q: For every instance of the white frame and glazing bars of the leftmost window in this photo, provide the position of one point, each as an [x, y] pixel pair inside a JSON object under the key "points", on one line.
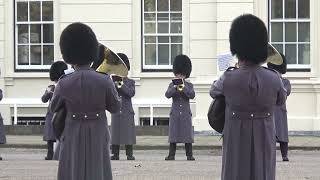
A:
{"points": [[32, 68]]}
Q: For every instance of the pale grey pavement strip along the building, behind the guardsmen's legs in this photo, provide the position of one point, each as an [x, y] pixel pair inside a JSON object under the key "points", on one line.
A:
{"points": [[160, 142]]}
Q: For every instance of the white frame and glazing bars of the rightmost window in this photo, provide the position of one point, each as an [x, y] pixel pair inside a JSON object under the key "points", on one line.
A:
{"points": [[291, 67]]}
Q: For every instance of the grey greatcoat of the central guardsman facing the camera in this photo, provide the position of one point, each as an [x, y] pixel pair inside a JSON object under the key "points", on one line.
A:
{"points": [[180, 122]]}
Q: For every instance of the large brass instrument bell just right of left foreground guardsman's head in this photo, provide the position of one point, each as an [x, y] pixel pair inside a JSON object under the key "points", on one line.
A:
{"points": [[113, 65]]}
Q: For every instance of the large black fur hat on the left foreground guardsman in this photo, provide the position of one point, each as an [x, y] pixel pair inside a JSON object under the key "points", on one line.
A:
{"points": [[78, 44]]}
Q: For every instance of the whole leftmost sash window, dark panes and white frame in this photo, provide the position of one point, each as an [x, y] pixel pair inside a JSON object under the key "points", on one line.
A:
{"points": [[34, 47]]}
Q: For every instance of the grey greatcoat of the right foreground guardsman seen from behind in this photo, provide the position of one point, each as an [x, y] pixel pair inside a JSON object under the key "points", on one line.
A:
{"points": [[249, 144]]}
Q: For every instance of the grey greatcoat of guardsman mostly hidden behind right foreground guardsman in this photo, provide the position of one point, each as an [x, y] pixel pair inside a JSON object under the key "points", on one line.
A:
{"points": [[280, 116]]}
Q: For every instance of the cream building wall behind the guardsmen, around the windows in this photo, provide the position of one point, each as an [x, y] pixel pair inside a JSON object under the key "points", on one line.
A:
{"points": [[206, 23]]}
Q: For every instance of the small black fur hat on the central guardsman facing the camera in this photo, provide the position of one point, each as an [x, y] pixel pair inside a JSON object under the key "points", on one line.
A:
{"points": [[182, 65]]}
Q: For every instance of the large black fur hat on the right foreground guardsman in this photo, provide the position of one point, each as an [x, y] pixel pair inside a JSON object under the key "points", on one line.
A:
{"points": [[249, 39]]}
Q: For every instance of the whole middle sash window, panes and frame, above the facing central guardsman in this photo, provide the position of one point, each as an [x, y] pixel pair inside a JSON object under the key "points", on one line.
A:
{"points": [[162, 33]]}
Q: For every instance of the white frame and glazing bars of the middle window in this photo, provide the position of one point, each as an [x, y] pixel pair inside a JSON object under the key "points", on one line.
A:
{"points": [[157, 67]]}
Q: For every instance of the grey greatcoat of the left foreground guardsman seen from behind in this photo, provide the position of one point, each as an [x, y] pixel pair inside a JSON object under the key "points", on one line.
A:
{"points": [[84, 152]]}
